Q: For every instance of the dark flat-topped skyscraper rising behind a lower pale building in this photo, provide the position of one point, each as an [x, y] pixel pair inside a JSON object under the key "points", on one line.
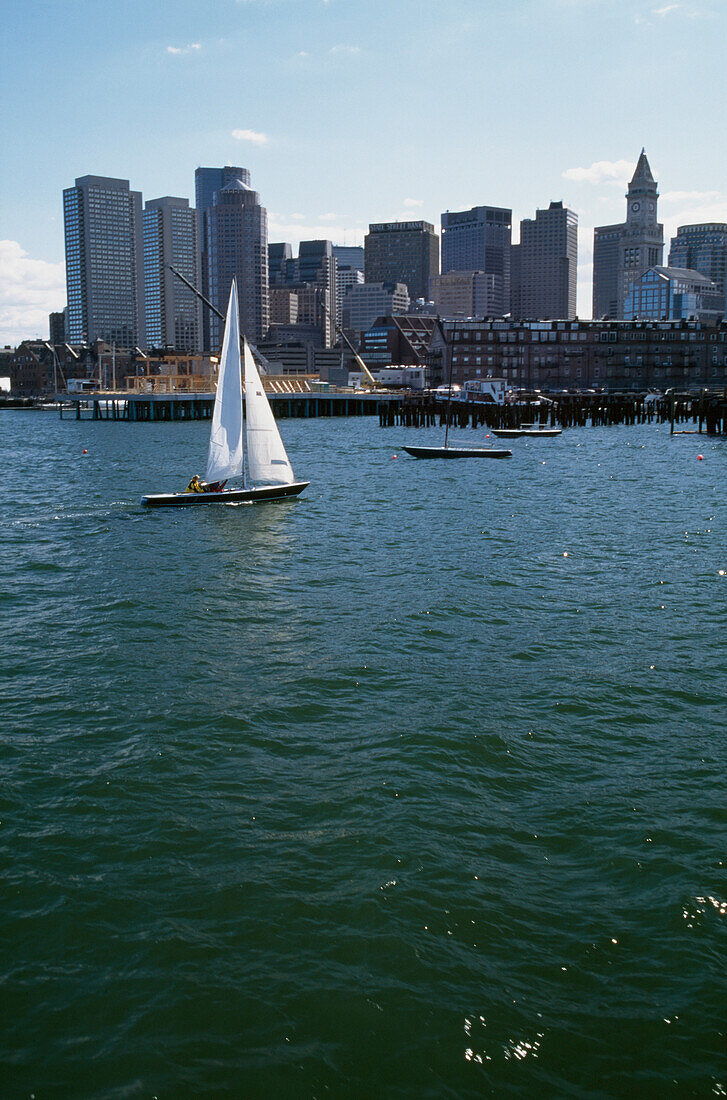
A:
{"points": [[479, 240]]}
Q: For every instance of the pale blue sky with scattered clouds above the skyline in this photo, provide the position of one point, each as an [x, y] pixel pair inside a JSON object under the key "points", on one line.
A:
{"points": [[354, 112]]}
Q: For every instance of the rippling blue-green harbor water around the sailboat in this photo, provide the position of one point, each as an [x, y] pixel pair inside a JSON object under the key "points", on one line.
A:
{"points": [[412, 788]]}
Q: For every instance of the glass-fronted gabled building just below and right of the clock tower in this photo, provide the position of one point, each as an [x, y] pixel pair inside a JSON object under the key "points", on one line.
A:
{"points": [[675, 294]]}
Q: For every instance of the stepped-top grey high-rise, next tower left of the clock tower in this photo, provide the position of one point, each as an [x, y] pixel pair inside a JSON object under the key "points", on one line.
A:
{"points": [[544, 270]]}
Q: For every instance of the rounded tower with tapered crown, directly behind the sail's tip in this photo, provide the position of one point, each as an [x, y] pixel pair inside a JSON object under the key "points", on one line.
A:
{"points": [[237, 246]]}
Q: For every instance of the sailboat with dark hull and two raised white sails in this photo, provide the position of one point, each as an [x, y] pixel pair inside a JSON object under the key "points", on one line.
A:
{"points": [[269, 468]]}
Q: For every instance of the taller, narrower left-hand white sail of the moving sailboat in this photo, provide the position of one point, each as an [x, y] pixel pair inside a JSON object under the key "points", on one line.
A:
{"points": [[225, 457]]}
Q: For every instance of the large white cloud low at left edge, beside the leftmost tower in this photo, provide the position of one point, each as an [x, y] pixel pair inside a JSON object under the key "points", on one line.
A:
{"points": [[30, 290]]}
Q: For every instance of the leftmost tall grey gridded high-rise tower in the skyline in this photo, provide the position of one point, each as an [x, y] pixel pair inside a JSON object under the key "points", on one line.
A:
{"points": [[103, 224]]}
